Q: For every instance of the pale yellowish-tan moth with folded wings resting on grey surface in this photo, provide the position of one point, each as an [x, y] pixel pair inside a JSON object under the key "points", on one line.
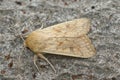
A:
{"points": [[67, 38]]}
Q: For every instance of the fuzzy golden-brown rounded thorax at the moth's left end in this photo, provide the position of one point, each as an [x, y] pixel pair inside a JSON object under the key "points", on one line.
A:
{"points": [[35, 42]]}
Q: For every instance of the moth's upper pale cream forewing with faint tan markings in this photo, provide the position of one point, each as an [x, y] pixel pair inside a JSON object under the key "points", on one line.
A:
{"points": [[67, 29]]}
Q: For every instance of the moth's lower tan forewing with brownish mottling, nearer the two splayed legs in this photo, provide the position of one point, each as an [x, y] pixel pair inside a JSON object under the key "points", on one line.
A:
{"points": [[70, 46]]}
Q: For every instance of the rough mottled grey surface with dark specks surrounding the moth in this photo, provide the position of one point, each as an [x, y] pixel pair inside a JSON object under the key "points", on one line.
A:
{"points": [[20, 17]]}
